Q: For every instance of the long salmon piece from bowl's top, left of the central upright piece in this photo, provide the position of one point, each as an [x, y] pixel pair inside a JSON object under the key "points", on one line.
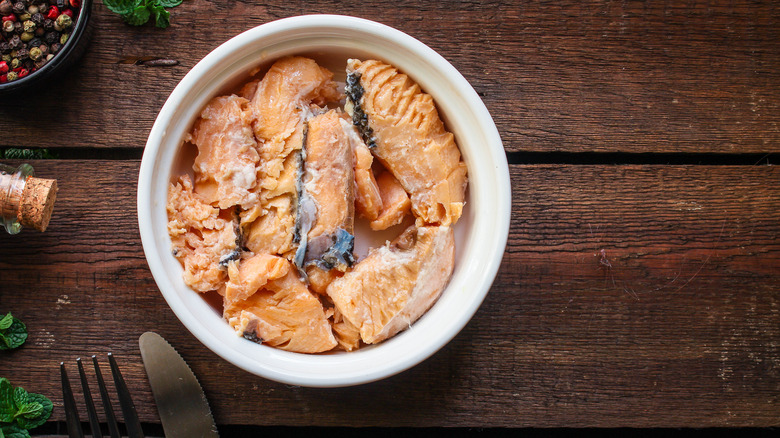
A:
{"points": [[289, 94]]}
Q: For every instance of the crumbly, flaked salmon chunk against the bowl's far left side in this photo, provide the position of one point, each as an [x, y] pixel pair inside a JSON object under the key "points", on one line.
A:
{"points": [[202, 238]]}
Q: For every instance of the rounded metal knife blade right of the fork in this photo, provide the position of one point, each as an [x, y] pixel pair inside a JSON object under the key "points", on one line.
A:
{"points": [[182, 405]]}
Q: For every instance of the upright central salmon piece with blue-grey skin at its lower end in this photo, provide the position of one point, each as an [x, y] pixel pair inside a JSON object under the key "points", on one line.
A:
{"points": [[326, 193]]}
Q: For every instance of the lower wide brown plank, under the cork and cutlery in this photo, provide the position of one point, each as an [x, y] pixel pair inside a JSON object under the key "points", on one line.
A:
{"points": [[676, 323]]}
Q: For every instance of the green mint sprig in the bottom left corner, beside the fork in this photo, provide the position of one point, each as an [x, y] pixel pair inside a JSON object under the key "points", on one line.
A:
{"points": [[21, 411]]}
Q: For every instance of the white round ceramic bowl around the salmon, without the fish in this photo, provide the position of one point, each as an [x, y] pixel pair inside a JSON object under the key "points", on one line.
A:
{"points": [[481, 233]]}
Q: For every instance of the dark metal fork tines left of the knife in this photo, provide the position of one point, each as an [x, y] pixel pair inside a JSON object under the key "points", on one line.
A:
{"points": [[125, 402]]}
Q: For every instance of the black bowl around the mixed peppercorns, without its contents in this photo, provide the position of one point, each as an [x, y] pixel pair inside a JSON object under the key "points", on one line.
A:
{"points": [[70, 52]]}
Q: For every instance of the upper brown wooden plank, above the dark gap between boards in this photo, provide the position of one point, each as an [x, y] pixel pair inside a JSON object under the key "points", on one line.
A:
{"points": [[629, 76]]}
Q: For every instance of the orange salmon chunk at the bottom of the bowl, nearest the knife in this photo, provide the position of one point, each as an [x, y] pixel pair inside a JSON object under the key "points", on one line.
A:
{"points": [[282, 312]]}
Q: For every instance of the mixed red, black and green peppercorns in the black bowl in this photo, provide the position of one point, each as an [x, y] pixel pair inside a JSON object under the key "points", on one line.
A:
{"points": [[32, 33]]}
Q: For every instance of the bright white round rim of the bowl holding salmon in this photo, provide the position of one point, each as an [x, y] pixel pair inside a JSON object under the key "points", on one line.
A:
{"points": [[403, 358]]}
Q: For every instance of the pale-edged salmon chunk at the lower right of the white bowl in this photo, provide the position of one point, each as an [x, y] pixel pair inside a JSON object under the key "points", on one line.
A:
{"points": [[395, 284]]}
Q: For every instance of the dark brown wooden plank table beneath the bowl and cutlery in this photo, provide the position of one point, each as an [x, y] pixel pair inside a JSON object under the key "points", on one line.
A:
{"points": [[641, 282]]}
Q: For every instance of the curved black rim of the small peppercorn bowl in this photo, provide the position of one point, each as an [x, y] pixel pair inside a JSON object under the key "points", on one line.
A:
{"points": [[61, 60]]}
